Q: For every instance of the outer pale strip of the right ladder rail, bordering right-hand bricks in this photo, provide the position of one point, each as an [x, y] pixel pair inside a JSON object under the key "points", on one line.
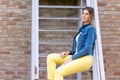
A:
{"points": [[100, 55]]}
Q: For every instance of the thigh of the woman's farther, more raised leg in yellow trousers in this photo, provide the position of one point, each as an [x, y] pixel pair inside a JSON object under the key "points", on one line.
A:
{"points": [[57, 58]]}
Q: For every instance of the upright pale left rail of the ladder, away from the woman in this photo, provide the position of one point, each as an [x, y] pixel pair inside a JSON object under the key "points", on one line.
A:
{"points": [[34, 52]]}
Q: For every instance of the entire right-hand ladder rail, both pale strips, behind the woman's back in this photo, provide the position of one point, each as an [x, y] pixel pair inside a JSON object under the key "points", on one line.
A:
{"points": [[98, 68]]}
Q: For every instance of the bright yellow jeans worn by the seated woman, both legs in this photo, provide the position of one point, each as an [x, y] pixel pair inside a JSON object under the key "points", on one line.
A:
{"points": [[78, 65]]}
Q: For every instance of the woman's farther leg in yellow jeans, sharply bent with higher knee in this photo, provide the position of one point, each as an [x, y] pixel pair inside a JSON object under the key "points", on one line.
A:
{"points": [[53, 60]]}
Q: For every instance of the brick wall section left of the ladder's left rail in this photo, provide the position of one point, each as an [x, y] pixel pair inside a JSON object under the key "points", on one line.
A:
{"points": [[15, 28]]}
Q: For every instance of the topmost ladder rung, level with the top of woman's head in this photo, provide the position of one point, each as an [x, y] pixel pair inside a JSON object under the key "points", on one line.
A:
{"points": [[62, 6]]}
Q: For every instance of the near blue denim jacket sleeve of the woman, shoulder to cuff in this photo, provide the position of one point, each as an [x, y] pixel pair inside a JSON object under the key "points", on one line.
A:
{"points": [[90, 39]]}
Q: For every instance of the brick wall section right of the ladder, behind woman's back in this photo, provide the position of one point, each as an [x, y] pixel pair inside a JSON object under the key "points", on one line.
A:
{"points": [[109, 11]]}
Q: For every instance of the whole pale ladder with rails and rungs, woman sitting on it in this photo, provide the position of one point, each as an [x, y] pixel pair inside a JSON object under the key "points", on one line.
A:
{"points": [[98, 66]]}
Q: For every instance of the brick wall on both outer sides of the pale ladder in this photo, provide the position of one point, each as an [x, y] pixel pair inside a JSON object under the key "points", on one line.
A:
{"points": [[15, 26]]}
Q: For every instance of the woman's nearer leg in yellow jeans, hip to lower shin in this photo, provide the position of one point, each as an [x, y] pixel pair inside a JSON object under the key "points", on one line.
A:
{"points": [[78, 65]]}
